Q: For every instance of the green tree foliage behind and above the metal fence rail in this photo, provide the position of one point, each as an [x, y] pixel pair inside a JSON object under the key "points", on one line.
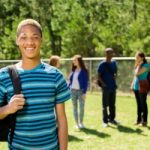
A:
{"points": [[85, 27]]}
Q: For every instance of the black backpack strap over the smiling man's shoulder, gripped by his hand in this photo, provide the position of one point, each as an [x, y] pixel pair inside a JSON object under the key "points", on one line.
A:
{"points": [[17, 90]]}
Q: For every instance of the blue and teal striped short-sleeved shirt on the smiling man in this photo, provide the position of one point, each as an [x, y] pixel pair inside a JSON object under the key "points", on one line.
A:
{"points": [[43, 87]]}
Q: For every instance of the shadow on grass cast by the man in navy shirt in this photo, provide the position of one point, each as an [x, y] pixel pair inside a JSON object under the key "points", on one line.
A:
{"points": [[125, 129]]}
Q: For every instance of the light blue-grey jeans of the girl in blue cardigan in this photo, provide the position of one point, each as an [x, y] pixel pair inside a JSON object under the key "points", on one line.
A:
{"points": [[77, 99]]}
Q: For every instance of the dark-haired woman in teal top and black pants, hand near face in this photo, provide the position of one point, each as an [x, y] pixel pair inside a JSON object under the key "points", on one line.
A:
{"points": [[141, 69]]}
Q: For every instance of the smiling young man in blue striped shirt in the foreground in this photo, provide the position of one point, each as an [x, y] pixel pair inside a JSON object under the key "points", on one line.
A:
{"points": [[40, 108]]}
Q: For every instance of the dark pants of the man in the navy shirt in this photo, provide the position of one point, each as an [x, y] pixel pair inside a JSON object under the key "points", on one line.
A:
{"points": [[108, 104]]}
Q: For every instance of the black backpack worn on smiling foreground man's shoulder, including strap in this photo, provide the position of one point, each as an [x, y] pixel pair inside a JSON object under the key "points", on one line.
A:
{"points": [[8, 123]]}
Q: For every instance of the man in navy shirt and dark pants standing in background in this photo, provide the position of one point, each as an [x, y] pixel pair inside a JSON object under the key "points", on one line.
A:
{"points": [[107, 71]]}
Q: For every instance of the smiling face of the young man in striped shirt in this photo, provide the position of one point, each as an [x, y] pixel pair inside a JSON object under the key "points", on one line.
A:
{"points": [[29, 41]]}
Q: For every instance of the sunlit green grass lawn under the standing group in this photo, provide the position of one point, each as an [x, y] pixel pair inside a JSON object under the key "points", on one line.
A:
{"points": [[95, 137]]}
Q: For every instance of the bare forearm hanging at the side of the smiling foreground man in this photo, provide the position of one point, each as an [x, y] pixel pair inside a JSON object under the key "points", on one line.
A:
{"points": [[62, 126]]}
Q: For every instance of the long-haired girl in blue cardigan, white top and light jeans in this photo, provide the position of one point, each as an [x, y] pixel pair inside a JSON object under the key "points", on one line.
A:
{"points": [[78, 82]]}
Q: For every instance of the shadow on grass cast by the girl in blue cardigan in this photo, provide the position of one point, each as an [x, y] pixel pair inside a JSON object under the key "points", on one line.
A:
{"points": [[95, 132]]}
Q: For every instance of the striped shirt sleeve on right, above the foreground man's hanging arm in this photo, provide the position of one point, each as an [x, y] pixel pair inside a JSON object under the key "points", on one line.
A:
{"points": [[62, 89]]}
